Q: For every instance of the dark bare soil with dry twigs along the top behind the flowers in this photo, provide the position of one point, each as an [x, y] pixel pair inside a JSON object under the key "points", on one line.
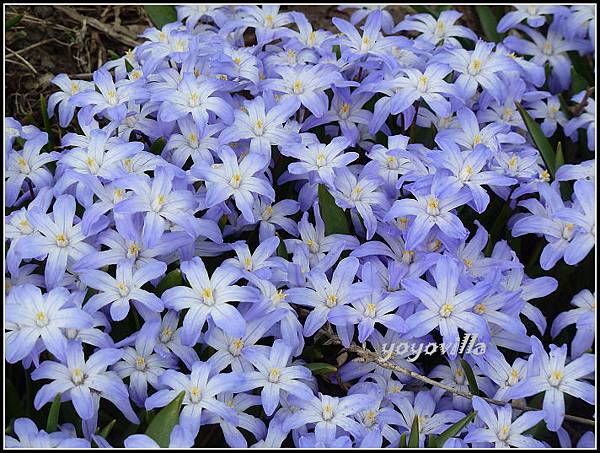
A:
{"points": [[63, 39]]}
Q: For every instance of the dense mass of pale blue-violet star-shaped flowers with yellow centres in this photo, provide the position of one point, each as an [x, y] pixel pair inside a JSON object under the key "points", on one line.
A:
{"points": [[243, 199]]}
